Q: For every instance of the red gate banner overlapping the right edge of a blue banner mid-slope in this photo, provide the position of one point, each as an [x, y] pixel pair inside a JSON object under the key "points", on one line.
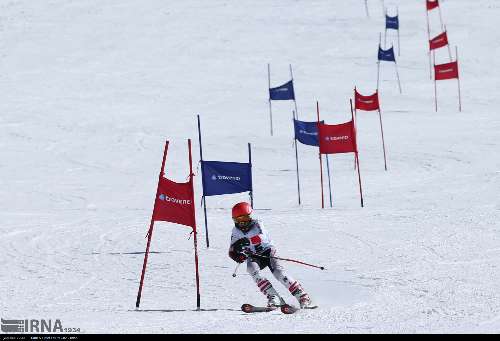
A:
{"points": [[338, 138]]}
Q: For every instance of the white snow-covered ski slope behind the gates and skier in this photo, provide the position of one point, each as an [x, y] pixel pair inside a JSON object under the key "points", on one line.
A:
{"points": [[91, 90]]}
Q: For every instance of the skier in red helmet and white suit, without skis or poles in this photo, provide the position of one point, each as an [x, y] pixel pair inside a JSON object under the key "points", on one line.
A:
{"points": [[251, 243]]}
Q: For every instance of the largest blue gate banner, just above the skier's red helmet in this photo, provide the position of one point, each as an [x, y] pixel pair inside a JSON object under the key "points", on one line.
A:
{"points": [[226, 177]]}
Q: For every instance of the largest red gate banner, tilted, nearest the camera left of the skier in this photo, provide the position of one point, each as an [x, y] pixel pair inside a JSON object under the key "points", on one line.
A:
{"points": [[174, 203]]}
